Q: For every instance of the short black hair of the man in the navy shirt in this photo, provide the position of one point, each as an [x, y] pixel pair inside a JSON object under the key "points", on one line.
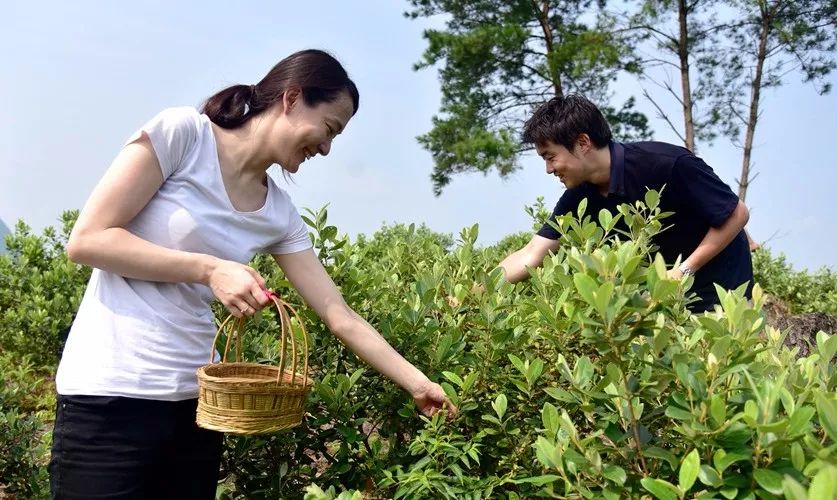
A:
{"points": [[562, 119]]}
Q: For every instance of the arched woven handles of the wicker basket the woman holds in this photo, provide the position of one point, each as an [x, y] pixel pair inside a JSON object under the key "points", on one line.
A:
{"points": [[234, 326]]}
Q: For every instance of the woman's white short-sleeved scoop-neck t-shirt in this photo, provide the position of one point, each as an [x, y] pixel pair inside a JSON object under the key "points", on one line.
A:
{"points": [[146, 339]]}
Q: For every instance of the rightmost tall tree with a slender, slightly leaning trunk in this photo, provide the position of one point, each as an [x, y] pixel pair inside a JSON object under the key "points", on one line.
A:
{"points": [[776, 37]]}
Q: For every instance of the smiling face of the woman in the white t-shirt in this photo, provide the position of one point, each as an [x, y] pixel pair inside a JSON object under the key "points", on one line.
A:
{"points": [[308, 131]]}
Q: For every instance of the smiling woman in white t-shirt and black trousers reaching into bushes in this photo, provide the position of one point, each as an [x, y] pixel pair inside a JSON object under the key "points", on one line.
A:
{"points": [[184, 207]]}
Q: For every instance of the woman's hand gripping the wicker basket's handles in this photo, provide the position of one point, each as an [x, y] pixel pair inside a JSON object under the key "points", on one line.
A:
{"points": [[239, 287]]}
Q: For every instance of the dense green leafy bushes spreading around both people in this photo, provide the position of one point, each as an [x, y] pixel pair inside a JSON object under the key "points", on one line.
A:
{"points": [[590, 380]]}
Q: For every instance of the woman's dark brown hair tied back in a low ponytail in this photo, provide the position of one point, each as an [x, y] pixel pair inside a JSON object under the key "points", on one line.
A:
{"points": [[318, 74]]}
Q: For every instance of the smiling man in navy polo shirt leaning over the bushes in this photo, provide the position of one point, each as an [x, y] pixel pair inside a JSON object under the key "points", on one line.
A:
{"points": [[573, 137]]}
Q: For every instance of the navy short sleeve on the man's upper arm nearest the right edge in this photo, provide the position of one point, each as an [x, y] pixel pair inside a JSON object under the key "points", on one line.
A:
{"points": [[702, 191]]}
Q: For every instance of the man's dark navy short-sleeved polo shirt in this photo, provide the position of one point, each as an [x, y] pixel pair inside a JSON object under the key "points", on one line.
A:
{"points": [[699, 199]]}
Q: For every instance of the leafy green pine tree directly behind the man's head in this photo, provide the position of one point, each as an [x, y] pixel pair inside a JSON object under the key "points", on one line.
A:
{"points": [[500, 58]]}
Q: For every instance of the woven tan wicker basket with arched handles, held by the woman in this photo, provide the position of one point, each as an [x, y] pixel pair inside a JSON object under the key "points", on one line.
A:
{"points": [[251, 398]]}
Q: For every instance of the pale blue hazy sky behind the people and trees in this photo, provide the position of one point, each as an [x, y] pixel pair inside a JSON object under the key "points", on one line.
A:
{"points": [[79, 77]]}
